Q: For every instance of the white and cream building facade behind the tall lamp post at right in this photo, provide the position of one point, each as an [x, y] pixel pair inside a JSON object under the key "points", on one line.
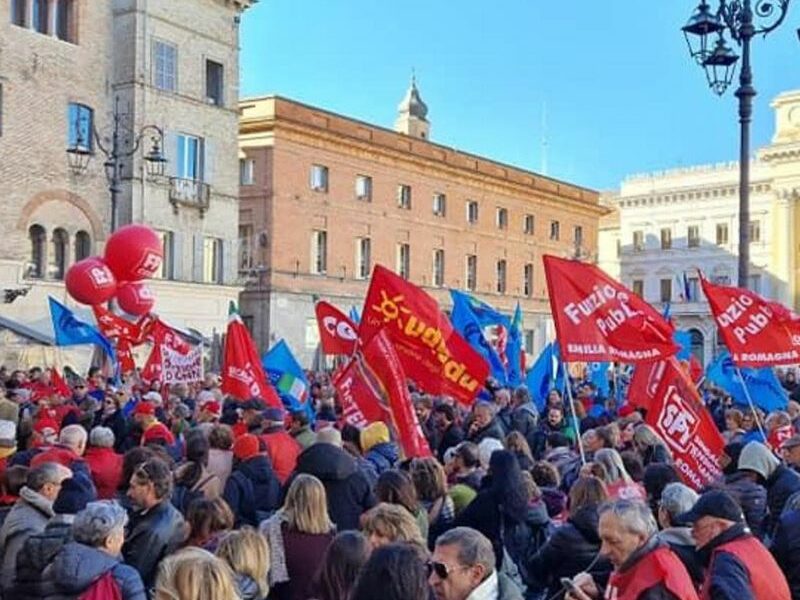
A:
{"points": [[676, 223]]}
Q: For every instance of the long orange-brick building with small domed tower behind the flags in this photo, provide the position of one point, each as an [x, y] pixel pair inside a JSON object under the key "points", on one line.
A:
{"points": [[325, 197]]}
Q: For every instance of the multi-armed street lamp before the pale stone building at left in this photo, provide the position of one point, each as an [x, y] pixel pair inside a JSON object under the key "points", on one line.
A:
{"points": [[122, 144]]}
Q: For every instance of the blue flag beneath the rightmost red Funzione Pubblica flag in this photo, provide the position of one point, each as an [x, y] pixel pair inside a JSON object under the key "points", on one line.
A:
{"points": [[765, 390]]}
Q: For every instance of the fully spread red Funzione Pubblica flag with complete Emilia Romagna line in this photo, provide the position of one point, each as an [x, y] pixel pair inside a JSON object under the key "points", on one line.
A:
{"points": [[598, 319]]}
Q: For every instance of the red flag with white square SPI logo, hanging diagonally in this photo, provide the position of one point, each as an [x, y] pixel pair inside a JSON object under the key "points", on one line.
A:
{"points": [[679, 417]]}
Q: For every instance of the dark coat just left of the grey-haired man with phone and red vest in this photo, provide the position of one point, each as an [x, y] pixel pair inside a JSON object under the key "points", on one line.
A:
{"points": [[570, 549]]}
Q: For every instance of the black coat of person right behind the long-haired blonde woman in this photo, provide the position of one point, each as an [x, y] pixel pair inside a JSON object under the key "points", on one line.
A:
{"points": [[348, 489]]}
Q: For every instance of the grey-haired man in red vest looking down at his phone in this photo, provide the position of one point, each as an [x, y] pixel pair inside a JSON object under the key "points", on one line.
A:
{"points": [[644, 568]]}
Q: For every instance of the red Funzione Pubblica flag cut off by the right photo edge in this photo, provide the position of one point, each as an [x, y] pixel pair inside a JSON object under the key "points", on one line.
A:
{"points": [[759, 333]]}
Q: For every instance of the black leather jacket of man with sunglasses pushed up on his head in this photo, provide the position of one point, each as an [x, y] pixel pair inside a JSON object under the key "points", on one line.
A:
{"points": [[150, 537]]}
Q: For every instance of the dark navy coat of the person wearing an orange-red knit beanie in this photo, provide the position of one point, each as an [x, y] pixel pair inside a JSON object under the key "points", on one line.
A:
{"points": [[253, 491]]}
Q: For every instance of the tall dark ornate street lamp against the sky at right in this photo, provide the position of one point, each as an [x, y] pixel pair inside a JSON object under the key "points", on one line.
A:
{"points": [[742, 20]]}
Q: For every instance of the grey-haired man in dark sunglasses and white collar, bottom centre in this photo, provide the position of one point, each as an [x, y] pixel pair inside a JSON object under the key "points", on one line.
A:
{"points": [[463, 568]]}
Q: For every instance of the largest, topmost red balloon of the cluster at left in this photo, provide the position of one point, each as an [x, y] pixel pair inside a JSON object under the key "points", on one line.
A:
{"points": [[134, 252]]}
